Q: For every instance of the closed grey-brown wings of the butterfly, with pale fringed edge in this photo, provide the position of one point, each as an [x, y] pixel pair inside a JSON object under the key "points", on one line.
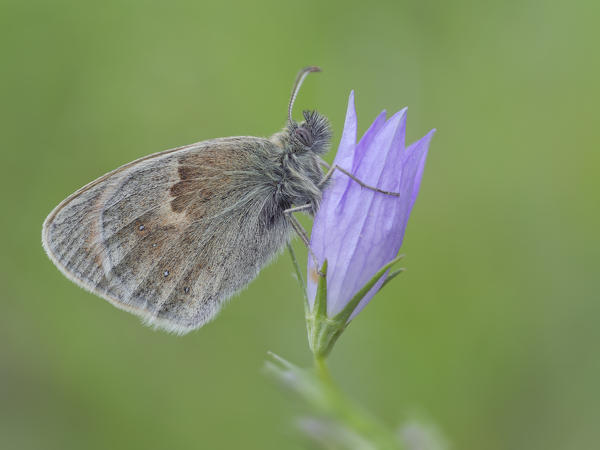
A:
{"points": [[170, 236]]}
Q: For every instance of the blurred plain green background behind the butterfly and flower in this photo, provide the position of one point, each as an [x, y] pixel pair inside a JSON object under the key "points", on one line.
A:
{"points": [[492, 333]]}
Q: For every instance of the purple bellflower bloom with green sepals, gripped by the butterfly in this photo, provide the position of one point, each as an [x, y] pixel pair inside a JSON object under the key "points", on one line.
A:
{"points": [[357, 231]]}
